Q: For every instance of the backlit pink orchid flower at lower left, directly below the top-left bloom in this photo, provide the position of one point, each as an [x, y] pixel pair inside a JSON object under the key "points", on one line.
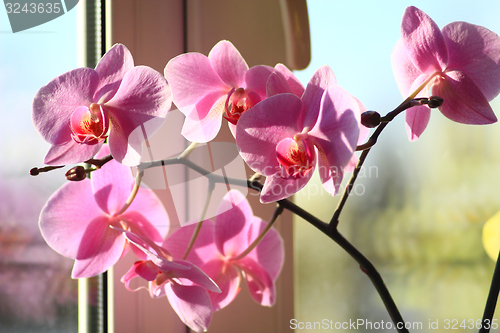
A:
{"points": [[76, 219]]}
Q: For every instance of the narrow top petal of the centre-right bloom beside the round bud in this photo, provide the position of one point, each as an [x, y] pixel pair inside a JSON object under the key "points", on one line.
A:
{"points": [[311, 99]]}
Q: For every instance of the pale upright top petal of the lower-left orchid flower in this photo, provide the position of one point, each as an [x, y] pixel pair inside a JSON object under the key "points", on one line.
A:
{"points": [[111, 184]]}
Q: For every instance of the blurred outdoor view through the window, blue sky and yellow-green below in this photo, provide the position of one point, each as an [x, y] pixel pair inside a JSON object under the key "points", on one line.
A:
{"points": [[417, 210]]}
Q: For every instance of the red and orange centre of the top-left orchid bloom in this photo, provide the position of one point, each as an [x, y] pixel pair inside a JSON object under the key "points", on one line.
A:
{"points": [[89, 124]]}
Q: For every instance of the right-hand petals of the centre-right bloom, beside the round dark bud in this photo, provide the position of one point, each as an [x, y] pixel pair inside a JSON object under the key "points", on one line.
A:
{"points": [[336, 134]]}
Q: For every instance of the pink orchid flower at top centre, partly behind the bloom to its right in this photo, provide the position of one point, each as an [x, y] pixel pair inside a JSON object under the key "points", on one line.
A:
{"points": [[204, 88]]}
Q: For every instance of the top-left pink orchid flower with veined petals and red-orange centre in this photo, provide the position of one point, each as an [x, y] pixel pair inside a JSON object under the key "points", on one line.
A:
{"points": [[77, 111]]}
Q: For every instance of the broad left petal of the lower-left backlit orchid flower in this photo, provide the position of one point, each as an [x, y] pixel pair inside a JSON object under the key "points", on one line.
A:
{"points": [[66, 215]]}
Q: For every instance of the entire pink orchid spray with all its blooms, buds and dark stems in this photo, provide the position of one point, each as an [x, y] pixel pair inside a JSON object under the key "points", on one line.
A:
{"points": [[283, 132]]}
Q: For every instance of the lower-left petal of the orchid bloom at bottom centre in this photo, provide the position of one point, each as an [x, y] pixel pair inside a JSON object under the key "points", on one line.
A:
{"points": [[227, 277]]}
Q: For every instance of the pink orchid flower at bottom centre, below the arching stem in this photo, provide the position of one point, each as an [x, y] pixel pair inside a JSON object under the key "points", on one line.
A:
{"points": [[220, 244]]}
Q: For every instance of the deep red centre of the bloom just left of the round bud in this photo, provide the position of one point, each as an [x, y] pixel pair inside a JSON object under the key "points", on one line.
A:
{"points": [[296, 154]]}
